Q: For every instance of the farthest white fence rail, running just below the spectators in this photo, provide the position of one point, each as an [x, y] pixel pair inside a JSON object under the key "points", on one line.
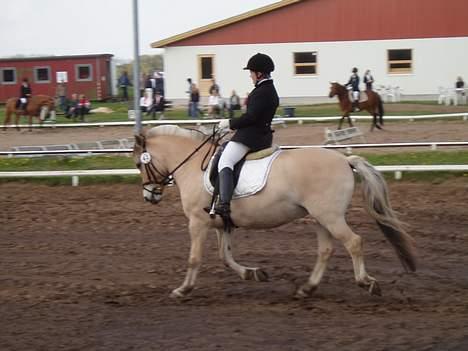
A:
{"points": [[277, 119]]}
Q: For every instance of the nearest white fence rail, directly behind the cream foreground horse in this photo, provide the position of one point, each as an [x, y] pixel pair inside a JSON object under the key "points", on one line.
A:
{"points": [[75, 174]]}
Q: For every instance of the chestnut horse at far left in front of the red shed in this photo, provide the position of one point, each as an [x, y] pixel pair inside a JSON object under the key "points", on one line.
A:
{"points": [[38, 106]]}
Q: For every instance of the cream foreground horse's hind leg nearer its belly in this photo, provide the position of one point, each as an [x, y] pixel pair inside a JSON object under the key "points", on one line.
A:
{"points": [[325, 250]]}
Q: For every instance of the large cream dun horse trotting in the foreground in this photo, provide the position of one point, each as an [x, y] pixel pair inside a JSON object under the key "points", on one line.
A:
{"points": [[315, 182]]}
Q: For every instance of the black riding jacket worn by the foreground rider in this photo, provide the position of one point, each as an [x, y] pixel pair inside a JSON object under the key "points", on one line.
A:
{"points": [[253, 128]]}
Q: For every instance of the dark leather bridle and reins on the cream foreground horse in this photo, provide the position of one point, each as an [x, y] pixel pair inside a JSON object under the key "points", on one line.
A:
{"points": [[153, 172]]}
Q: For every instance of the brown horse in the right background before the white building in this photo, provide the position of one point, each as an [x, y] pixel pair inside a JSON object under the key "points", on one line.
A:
{"points": [[373, 105]]}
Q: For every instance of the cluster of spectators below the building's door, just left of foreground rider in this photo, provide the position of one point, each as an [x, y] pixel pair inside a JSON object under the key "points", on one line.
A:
{"points": [[216, 104]]}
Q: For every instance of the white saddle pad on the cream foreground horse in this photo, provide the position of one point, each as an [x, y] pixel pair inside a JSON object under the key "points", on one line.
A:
{"points": [[253, 176]]}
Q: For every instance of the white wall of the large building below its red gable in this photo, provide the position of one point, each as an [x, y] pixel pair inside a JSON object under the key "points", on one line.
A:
{"points": [[436, 62]]}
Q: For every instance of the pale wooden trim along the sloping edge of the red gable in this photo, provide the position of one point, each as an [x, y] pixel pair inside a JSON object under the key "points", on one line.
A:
{"points": [[223, 23]]}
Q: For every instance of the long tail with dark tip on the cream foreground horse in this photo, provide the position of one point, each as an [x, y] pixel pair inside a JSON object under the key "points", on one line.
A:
{"points": [[377, 202]]}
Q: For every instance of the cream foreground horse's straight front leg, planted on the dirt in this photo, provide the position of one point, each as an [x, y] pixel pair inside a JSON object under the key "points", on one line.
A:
{"points": [[198, 232]]}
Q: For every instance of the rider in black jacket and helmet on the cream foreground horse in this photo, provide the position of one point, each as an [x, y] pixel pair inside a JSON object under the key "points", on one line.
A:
{"points": [[253, 128]]}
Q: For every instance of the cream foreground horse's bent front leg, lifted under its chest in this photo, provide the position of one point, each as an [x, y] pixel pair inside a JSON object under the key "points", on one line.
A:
{"points": [[225, 253]]}
